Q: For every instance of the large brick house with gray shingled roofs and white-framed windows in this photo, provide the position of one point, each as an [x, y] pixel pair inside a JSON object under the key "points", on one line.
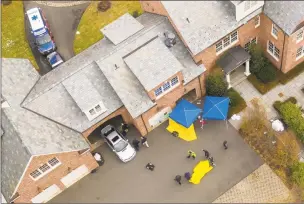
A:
{"points": [[136, 74]]}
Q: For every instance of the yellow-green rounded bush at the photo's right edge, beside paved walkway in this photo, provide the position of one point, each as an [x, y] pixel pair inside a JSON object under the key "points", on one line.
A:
{"points": [[292, 116]]}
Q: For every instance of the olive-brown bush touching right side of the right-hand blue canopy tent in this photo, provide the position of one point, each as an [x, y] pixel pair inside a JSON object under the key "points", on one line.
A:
{"points": [[237, 103]]}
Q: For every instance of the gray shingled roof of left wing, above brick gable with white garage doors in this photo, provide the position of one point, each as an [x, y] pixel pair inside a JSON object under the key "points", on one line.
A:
{"points": [[26, 133]]}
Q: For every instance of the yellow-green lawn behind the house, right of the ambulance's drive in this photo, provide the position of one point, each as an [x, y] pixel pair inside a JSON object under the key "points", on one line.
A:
{"points": [[93, 20]]}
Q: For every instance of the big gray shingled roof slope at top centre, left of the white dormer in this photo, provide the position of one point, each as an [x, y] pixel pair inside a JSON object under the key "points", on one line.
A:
{"points": [[209, 21]]}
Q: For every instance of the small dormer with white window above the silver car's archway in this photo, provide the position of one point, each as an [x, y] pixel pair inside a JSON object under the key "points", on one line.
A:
{"points": [[85, 95]]}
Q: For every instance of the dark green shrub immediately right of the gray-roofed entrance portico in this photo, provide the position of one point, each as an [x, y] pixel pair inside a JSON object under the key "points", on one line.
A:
{"points": [[258, 60]]}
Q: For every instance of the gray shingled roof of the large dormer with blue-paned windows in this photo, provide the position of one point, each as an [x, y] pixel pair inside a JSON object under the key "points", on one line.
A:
{"points": [[153, 61]]}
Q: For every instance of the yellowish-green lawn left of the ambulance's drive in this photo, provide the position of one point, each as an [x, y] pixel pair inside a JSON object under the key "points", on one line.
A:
{"points": [[14, 41]]}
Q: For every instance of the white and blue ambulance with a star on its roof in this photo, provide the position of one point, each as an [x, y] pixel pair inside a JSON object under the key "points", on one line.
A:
{"points": [[40, 29]]}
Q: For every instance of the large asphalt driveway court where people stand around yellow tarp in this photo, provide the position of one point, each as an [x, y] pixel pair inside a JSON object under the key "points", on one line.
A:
{"points": [[132, 183]]}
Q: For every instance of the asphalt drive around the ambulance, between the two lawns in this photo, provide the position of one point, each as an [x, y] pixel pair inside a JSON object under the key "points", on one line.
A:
{"points": [[63, 23]]}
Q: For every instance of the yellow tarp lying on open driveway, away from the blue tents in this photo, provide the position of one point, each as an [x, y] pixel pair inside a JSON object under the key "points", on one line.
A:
{"points": [[199, 171]]}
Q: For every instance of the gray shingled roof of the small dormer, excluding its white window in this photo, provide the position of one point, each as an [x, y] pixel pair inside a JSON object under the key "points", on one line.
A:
{"points": [[82, 91]]}
